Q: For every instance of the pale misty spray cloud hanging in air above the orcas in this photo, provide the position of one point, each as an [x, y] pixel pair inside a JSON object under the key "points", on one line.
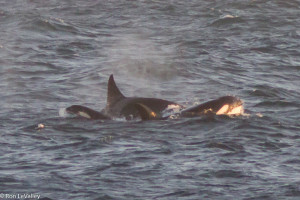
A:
{"points": [[141, 61]]}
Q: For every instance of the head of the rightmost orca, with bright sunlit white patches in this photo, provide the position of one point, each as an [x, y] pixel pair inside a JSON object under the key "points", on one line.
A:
{"points": [[230, 105]]}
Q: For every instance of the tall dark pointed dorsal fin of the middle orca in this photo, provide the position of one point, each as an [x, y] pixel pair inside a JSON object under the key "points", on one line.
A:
{"points": [[113, 92]]}
